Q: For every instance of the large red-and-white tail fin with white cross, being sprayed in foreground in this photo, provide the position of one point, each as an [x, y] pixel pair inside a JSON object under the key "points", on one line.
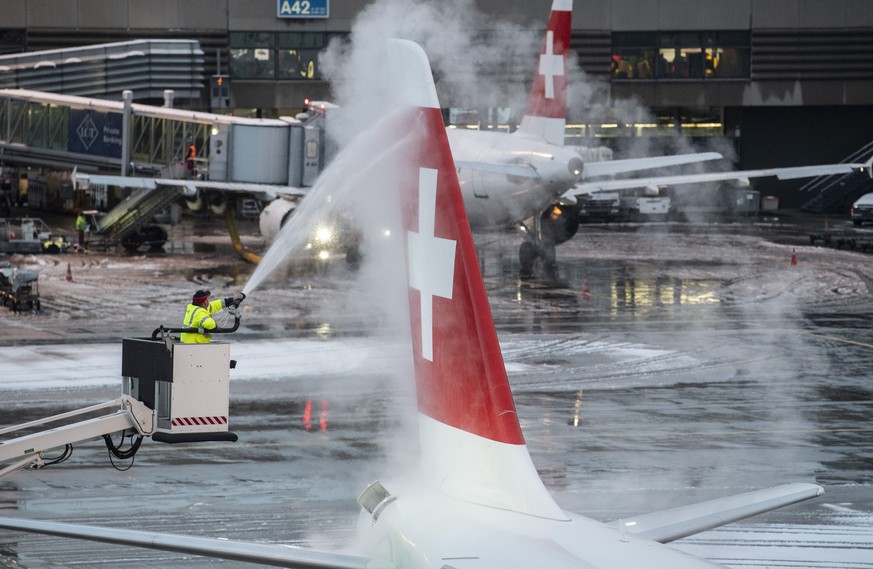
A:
{"points": [[471, 441]]}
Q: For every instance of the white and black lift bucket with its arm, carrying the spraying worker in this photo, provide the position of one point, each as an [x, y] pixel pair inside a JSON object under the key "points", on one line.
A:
{"points": [[171, 392]]}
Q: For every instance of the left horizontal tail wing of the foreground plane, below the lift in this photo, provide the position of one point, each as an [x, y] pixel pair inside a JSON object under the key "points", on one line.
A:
{"points": [[260, 553]]}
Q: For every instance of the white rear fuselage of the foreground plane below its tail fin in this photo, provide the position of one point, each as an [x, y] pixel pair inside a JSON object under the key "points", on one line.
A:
{"points": [[427, 530]]}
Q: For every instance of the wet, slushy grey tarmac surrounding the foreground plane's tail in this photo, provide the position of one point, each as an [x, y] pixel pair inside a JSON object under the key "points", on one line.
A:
{"points": [[667, 363]]}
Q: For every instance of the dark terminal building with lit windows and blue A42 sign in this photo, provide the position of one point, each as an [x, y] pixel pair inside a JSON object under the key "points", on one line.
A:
{"points": [[782, 82]]}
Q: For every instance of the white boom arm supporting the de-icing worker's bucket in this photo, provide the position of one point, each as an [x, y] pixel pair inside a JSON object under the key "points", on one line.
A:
{"points": [[28, 450]]}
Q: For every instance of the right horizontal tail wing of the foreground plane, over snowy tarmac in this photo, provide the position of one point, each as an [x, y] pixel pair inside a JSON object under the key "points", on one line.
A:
{"points": [[670, 525]]}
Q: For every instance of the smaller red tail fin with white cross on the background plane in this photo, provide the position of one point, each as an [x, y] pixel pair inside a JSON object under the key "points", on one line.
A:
{"points": [[546, 111]]}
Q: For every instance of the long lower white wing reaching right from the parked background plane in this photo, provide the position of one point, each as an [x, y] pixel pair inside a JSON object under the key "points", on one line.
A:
{"points": [[741, 175]]}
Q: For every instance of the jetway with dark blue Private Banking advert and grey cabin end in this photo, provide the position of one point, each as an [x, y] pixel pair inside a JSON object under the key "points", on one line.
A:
{"points": [[126, 138]]}
